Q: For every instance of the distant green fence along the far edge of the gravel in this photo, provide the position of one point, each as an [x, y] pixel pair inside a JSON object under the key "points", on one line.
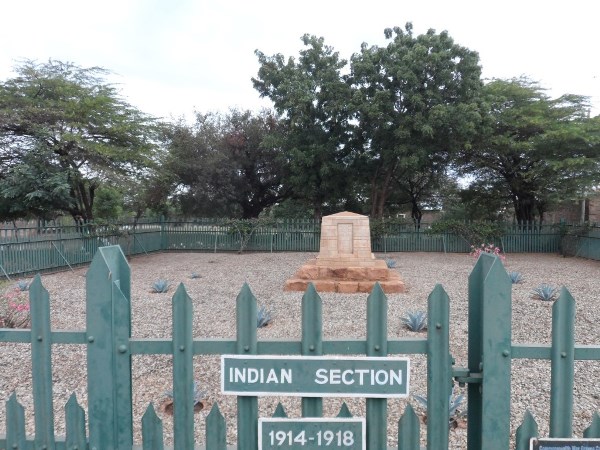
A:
{"points": [[41, 249]]}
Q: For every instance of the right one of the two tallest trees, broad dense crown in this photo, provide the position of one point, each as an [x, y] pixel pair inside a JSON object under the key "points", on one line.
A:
{"points": [[415, 101]]}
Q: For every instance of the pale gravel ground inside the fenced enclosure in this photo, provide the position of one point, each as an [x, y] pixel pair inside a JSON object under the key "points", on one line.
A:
{"points": [[214, 297]]}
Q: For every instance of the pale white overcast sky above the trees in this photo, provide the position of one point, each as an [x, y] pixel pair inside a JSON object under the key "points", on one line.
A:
{"points": [[172, 57]]}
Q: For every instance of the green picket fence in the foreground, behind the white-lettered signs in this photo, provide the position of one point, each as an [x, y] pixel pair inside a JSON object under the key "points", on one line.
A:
{"points": [[110, 348]]}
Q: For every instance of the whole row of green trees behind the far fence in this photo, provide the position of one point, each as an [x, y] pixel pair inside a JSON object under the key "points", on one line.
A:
{"points": [[405, 127]]}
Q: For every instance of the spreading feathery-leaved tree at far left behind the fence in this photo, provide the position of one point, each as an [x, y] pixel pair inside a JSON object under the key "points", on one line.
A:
{"points": [[70, 120]]}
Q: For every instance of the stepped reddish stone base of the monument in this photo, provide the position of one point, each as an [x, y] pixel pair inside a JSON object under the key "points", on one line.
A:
{"points": [[336, 276]]}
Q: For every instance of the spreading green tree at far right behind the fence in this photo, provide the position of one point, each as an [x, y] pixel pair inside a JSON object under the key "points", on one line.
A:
{"points": [[534, 151]]}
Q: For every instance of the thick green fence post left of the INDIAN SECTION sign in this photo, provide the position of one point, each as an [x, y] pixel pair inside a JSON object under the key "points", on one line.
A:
{"points": [[108, 328]]}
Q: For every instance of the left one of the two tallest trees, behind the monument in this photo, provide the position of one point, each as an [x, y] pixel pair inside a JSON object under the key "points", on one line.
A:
{"points": [[312, 101]]}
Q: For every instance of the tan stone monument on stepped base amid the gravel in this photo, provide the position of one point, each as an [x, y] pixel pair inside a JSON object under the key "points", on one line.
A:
{"points": [[345, 263]]}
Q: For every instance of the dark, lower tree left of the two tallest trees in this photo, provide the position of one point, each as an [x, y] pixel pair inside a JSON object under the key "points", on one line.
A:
{"points": [[227, 164]]}
